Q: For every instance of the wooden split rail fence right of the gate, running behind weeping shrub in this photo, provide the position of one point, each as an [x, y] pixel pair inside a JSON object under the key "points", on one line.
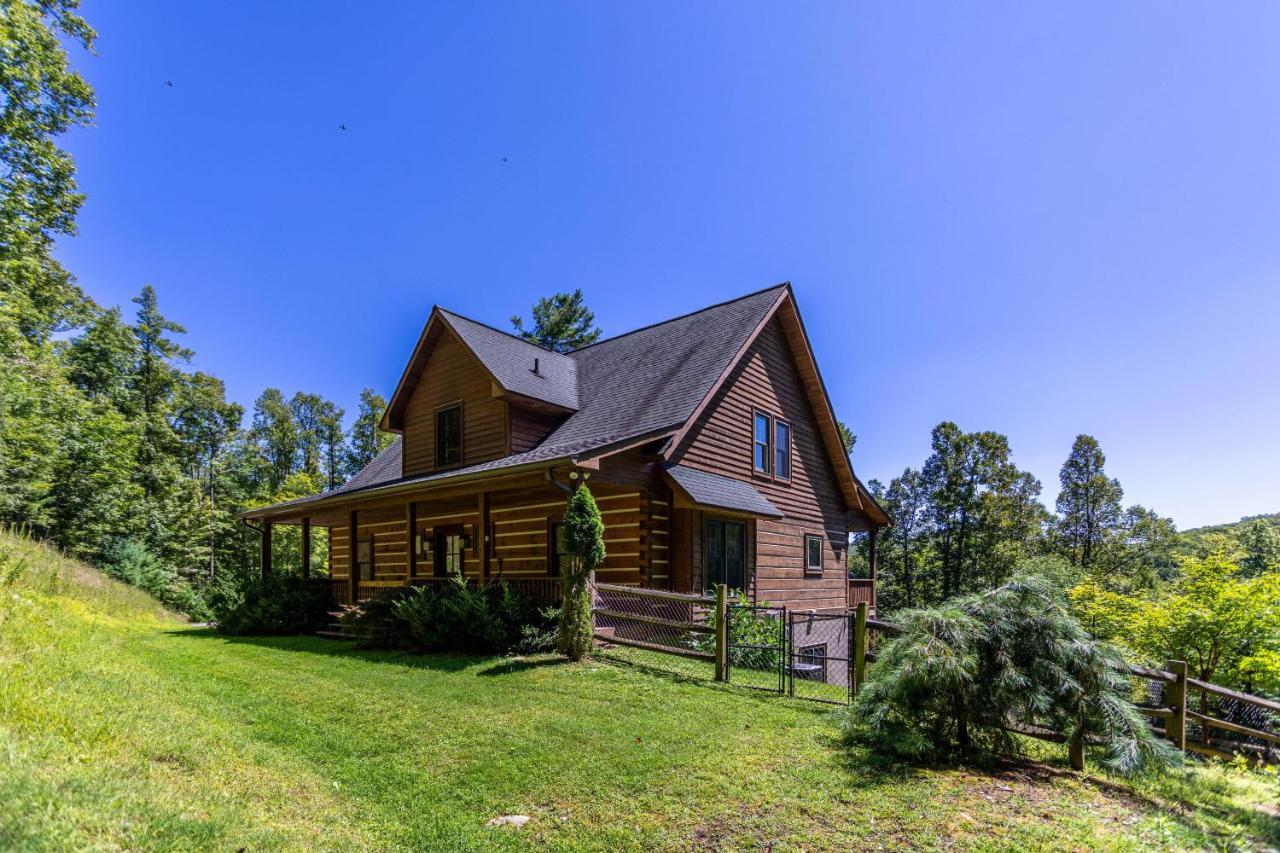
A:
{"points": [[1174, 713]]}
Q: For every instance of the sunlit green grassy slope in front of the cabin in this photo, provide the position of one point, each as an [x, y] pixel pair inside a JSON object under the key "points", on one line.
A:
{"points": [[120, 726]]}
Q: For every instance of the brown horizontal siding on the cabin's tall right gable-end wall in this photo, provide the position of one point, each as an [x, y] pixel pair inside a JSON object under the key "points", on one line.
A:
{"points": [[721, 443]]}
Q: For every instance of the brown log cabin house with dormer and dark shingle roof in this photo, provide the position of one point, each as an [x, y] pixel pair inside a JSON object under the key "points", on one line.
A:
{"points": [[708, 441]]}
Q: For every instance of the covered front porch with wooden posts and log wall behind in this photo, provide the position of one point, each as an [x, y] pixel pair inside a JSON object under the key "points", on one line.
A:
{"points": [[492, 528]]}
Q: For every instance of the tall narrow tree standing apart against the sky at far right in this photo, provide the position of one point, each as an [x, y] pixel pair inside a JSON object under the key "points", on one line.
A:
{"points": [[1089, 507]]}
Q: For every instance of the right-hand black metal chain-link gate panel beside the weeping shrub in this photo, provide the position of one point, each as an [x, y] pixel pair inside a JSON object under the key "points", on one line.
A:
{"points": [[820, 658]]}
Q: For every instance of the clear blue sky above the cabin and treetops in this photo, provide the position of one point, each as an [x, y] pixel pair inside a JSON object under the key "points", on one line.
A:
{"points": [[1035, 218]]}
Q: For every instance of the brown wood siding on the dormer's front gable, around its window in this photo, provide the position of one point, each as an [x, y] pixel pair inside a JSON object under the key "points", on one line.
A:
{"points": [[454, 375]]}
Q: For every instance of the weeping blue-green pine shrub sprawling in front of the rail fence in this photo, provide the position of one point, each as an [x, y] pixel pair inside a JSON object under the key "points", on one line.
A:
{"points": [[959, 676]]}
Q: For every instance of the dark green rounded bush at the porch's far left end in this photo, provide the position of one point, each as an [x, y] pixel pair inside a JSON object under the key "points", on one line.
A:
{"points": [[280, 604]]}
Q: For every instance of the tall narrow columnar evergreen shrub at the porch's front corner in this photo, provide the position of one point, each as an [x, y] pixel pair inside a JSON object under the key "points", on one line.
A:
{"points": [[583, 537]]}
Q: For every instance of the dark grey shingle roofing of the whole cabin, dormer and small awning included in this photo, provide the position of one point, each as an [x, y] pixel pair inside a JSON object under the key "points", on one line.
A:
{"points": [[629, 387]]}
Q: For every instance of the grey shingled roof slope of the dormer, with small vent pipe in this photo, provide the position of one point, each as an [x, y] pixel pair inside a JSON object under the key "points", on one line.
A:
{"points": [[511, 362]]}
